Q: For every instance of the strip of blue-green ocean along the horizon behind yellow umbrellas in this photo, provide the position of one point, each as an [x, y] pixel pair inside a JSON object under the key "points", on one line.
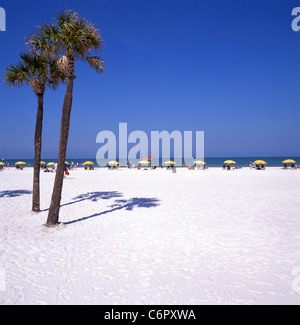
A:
{"points": [[210, 162]]}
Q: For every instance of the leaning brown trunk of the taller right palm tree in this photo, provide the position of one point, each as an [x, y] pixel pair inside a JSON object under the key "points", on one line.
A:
{"points": [[53, 216]]}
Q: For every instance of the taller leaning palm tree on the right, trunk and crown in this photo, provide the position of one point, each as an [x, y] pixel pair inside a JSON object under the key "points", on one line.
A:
{"points": [[68, 39]]}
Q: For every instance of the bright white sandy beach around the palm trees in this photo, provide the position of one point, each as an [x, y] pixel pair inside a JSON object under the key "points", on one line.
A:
{"points": [[153, 237]]}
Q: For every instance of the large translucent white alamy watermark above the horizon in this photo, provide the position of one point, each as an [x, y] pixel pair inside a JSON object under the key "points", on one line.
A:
{"points": [[137, 145]]}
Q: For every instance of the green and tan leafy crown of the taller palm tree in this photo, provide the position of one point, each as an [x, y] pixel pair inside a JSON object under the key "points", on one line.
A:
{"points": [[69, 39]]}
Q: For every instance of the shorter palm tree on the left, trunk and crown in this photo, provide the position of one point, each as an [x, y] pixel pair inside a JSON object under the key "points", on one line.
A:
{"points": [[39, 72]]}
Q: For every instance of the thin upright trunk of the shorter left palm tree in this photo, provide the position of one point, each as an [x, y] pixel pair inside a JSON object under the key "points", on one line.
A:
{"points": [[37, 154]]}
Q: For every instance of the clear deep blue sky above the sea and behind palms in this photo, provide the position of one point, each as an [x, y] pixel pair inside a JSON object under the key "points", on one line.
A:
{"points": [[230, 68]]}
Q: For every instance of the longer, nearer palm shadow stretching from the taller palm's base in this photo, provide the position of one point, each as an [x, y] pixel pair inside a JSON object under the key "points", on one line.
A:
{"points": [[128, 205]]}
